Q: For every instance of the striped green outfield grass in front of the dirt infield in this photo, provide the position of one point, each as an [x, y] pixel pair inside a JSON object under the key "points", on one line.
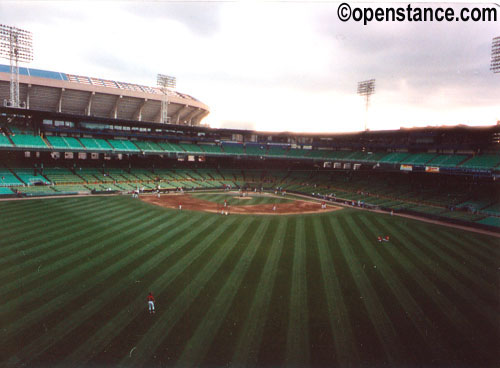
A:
{"points": [[311, 290]]}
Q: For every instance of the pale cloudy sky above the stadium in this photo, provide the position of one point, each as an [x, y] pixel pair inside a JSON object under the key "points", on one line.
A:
{"points": [[275, 66]]}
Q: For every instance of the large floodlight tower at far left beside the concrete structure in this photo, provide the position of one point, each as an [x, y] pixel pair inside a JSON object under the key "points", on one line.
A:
{"points": [[16, 45]]}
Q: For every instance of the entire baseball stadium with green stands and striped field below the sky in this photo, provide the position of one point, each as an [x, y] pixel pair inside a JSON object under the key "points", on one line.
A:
{"points": [[365, 249]]}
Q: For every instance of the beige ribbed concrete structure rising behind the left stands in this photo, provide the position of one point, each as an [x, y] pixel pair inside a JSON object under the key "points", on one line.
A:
{"points": [[87, 96]]}
